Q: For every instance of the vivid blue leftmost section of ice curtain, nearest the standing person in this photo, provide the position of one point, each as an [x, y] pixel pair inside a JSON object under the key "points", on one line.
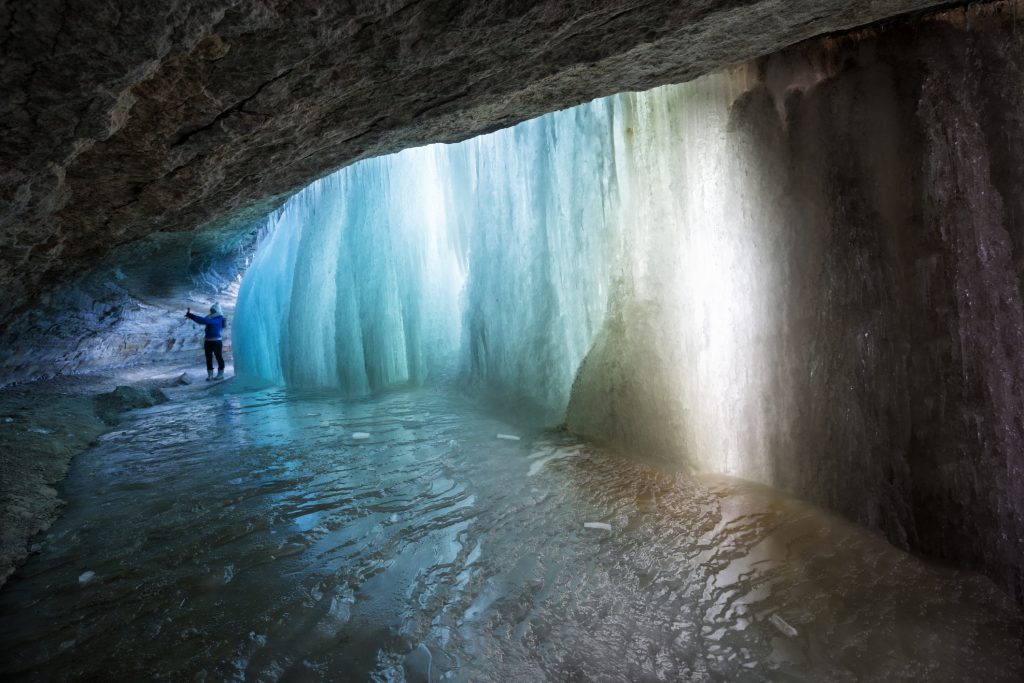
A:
{"points": [[358, 285]]}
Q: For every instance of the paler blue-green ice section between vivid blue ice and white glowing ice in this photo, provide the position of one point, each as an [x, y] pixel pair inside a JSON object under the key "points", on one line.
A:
{"points": [[536, 212]]}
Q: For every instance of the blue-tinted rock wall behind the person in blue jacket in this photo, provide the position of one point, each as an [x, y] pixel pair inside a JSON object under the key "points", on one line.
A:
{"points": [[129, 310]]}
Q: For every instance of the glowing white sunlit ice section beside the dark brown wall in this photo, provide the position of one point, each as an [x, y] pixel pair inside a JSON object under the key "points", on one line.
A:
{"points": [[684, 367]]}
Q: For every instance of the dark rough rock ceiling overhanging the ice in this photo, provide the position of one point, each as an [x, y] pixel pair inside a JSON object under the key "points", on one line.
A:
{"points": [[120, 120]]}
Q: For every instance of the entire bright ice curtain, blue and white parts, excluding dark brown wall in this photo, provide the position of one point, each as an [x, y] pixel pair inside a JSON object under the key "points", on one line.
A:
{"points": [[595, 233]]}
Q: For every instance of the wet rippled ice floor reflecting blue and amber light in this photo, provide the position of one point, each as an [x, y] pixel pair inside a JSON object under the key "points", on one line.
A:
{"points": [[260, 534]]}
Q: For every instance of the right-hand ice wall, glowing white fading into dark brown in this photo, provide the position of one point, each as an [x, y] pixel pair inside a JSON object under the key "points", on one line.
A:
{"points": [[861, 335]]}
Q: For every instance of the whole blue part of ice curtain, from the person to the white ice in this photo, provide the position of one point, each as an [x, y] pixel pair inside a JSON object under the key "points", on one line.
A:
{"points": [[488, 261]]}
